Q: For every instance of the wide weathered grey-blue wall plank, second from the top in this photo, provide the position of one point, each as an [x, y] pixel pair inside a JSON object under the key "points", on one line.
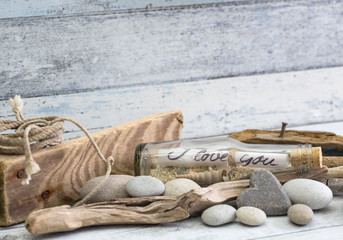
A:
{"points": [[42, 56]]}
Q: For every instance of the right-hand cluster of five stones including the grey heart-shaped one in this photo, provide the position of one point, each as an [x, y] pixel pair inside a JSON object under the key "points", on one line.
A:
{"points": [[267, 197]]}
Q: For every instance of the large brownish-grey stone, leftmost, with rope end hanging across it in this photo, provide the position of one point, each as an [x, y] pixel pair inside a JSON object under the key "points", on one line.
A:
{"points": [[114, 187]]}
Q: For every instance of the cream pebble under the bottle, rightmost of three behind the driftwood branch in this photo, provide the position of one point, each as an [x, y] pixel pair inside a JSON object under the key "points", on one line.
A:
{"points": [[179, 186]]}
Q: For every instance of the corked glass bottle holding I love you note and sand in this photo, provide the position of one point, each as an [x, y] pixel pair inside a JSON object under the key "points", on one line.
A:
{"points": [[216, 159]]}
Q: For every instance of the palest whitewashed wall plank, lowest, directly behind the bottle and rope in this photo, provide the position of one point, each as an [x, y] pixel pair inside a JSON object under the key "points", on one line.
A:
{"points": [[209, 107]]}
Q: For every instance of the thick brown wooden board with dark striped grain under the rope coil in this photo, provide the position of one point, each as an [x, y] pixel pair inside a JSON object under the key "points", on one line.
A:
{"points": [[66, 167]]}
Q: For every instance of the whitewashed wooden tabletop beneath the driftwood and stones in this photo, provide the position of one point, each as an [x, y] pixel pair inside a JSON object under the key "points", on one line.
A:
{"points": [[327, 223]]}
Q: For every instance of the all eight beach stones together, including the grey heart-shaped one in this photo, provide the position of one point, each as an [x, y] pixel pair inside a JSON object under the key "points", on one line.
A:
{"points": [[266, 197]]}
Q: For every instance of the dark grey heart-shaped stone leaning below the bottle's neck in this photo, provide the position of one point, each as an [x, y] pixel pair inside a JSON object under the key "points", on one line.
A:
{"points": [[265, 193]]}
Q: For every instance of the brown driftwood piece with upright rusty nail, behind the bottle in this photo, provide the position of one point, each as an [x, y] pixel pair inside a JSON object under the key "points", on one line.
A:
{"points": [[332, 144]]}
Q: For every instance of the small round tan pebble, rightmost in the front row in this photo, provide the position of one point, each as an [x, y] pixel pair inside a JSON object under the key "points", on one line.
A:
{"points": [[300, 214]]}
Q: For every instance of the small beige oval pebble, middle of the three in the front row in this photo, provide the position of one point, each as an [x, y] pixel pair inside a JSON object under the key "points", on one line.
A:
{"points": [[251, 216]]}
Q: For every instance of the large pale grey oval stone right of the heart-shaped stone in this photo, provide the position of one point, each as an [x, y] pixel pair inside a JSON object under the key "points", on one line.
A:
{"points": [[312, 193]]}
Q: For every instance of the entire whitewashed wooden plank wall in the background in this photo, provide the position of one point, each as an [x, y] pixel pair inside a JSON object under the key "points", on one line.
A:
{"points": [[227, 65]]}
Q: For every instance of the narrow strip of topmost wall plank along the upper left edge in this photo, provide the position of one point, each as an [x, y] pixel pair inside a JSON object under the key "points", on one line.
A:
{"points": [[29, 8]]}
